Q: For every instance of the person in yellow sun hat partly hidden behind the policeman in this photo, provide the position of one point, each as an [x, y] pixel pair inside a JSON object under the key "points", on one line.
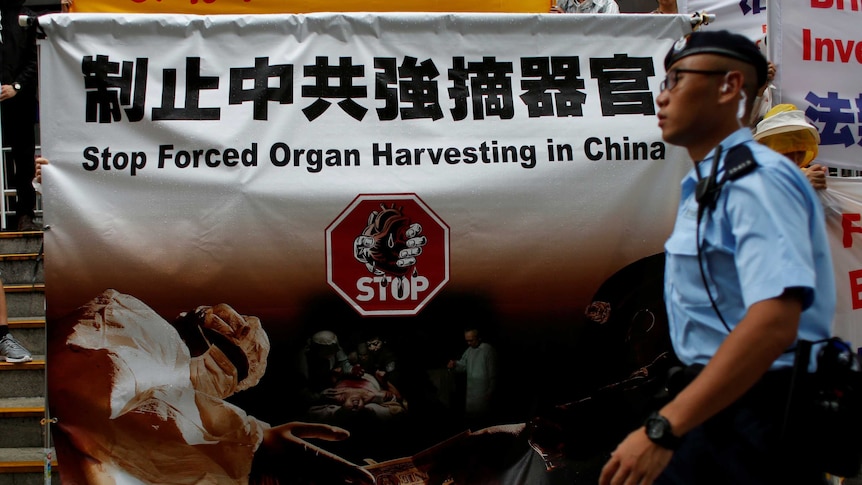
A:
{"points": [[785, 130]]}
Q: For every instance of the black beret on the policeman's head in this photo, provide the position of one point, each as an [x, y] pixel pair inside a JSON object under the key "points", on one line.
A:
{"points": [[722, 43]]}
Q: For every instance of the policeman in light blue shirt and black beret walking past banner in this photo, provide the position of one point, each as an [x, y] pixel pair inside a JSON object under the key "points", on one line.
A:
{"points": [[748, 273]]}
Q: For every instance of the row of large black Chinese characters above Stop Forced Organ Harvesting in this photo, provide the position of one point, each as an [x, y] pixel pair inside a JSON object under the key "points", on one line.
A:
{"points": [[409, 90]]}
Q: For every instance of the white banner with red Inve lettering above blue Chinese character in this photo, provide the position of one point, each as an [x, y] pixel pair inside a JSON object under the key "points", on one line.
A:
{"points": [[819, 56]]}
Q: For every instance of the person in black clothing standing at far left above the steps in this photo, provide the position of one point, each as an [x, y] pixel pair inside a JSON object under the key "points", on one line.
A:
{"points": [[18, 106]]}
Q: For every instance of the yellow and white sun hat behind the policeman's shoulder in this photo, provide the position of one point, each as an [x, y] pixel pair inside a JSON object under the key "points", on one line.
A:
{"points": [[785, 130]]}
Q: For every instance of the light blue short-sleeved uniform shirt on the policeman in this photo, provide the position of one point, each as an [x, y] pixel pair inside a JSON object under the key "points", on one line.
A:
{"points": [[766, 233]]}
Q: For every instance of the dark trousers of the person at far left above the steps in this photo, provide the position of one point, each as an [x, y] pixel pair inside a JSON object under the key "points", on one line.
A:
{"points": [[18, 115]]}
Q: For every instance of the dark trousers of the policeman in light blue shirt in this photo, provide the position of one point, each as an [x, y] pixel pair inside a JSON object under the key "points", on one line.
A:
{"points": [[744, 444]]}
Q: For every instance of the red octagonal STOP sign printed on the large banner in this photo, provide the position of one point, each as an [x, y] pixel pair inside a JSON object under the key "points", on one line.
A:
{"points": [[387, 254]]}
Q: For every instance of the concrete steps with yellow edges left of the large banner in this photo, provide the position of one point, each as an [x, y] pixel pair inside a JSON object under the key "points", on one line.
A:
{"points": [[23, 424]]}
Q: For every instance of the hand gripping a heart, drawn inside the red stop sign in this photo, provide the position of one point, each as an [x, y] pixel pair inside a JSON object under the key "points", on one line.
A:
{"points": [[390, 243]]}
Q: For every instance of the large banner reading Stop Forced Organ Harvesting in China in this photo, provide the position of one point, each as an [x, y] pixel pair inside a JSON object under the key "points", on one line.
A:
{"points": [[242, 206]]}
